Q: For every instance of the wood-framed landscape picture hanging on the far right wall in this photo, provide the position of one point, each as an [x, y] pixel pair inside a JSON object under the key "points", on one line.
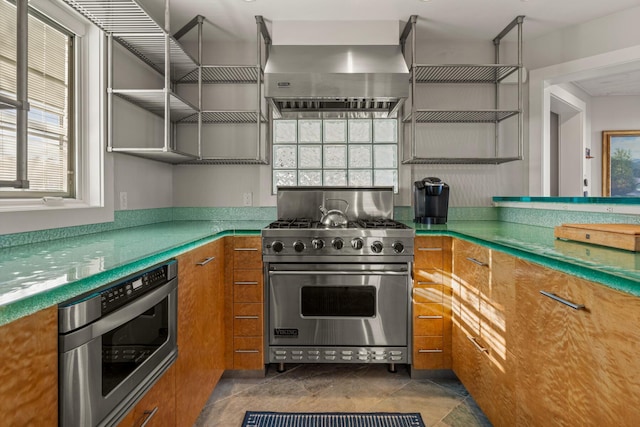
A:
{"points": [[621, 163]]}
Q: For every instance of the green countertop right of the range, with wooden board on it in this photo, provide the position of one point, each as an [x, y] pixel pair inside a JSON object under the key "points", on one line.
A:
{"points": [[615, 268]]}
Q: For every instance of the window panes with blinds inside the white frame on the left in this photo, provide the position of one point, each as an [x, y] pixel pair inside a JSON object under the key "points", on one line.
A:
{"points": [[50, 161]]}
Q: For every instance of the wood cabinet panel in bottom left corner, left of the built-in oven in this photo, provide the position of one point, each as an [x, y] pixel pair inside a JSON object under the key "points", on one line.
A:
{"points": [[29, 370]]}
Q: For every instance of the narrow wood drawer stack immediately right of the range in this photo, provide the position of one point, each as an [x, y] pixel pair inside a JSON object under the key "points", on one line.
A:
{"points": [[431, 296]]}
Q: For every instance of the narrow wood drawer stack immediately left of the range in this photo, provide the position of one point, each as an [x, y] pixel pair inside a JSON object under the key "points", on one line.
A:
{"points": [[245, 296]]}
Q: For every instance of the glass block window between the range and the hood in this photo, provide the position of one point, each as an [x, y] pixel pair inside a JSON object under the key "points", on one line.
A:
{"points": [[335, 152]]}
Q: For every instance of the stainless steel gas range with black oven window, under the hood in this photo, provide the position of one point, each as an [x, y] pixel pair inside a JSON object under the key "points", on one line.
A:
{"points": [[338, 278]]}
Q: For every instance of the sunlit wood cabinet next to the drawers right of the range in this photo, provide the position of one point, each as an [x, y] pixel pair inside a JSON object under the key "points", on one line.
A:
{"points": [[484, 328]]}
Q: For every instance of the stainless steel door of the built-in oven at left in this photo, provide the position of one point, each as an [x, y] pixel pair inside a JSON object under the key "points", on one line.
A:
{"points": [[107, 365]]}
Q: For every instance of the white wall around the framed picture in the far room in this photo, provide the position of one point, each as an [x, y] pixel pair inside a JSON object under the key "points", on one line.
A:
{"points": [[610, 113]]}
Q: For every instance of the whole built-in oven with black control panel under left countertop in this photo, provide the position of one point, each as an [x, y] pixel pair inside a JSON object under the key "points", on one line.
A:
{"points": [[114, 343]]}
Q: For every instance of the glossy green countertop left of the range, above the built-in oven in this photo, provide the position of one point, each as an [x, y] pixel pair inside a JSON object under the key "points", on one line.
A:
{"points": [[36, 276]]}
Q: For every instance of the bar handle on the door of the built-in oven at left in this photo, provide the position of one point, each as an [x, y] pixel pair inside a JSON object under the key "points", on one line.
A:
{"points": [[117, 318]]}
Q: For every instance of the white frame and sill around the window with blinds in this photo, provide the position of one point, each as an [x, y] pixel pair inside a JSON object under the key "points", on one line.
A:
{"points": [[91, 201]]}
